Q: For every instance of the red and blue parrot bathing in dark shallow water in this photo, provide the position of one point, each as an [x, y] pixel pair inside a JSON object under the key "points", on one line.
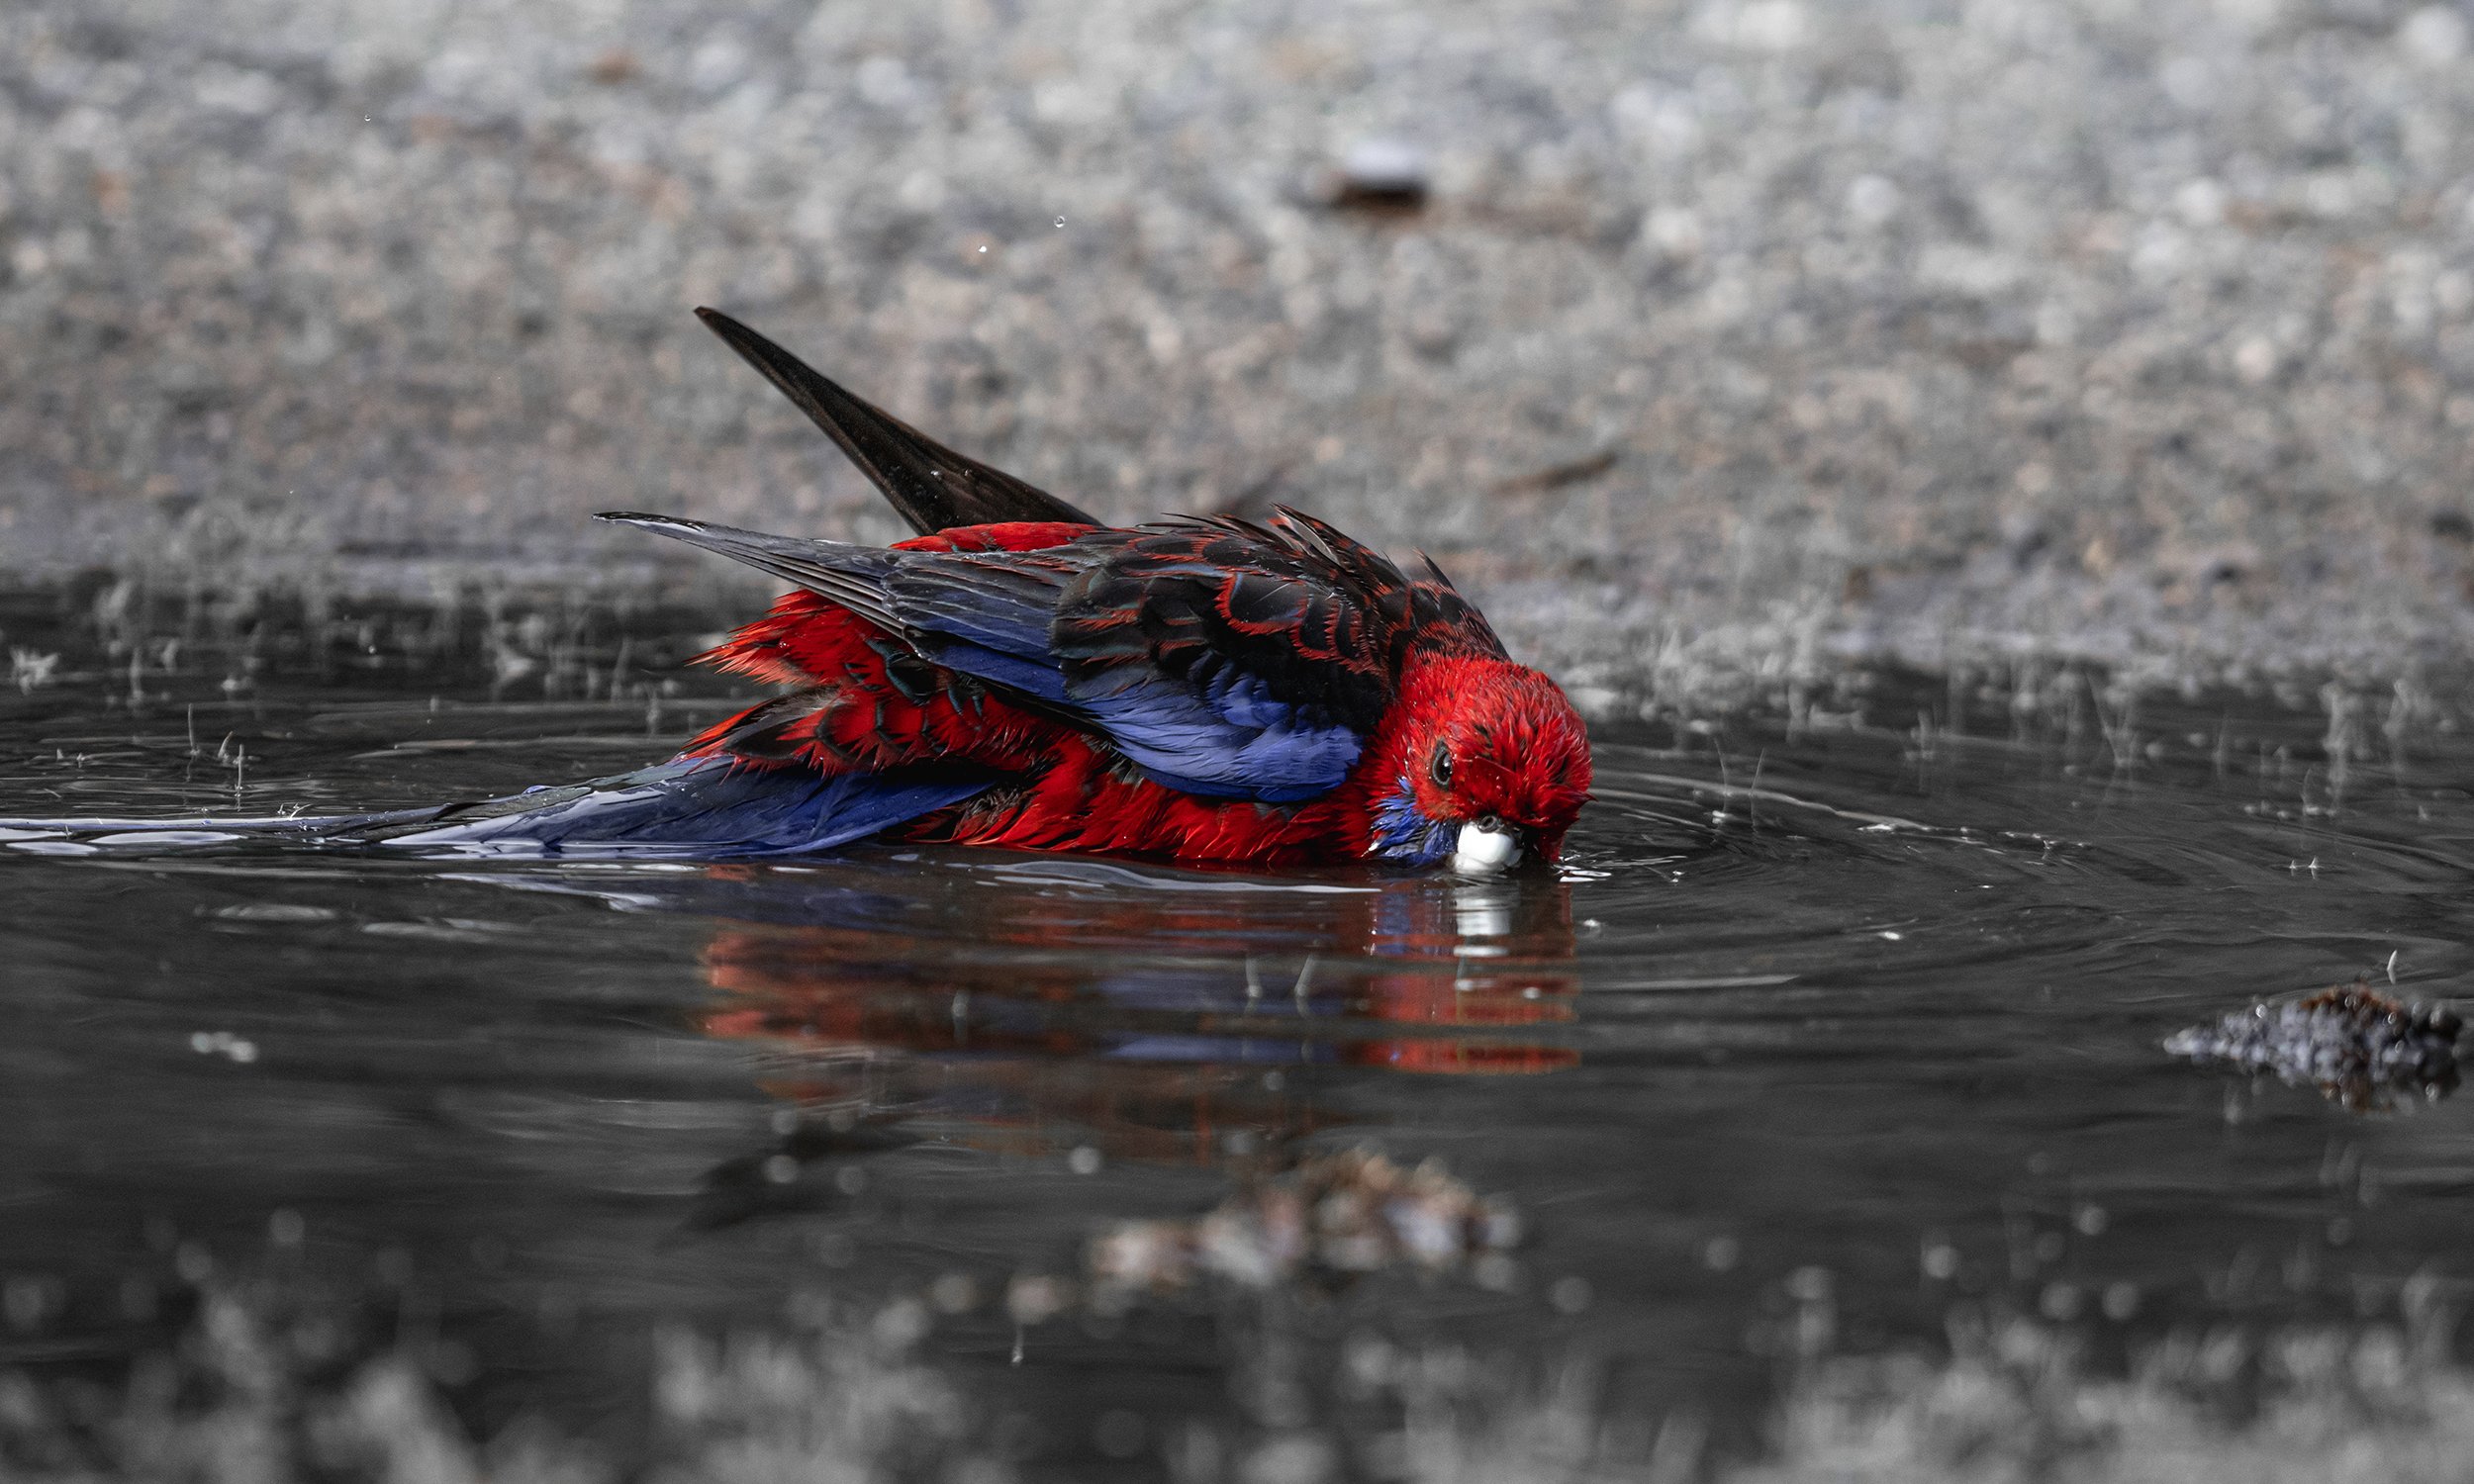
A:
{"points": [[1023, 676]]}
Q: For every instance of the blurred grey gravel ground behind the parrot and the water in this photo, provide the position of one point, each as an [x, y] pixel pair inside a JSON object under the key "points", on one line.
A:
{"points": [[1733, 338]]}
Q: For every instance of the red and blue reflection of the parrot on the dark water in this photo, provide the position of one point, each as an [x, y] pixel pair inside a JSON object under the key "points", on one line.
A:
{"points": [[1132, 1013]]}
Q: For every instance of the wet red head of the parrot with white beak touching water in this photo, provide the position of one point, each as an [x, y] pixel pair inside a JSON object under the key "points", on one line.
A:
{"points": [[1493, 751]]}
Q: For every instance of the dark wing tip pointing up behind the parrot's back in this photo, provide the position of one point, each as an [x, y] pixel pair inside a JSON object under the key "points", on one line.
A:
{"points": [[929, 484]]}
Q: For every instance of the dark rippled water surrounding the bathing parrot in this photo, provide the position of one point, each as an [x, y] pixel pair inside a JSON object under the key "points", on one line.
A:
{"points": [[1837, 1020]]}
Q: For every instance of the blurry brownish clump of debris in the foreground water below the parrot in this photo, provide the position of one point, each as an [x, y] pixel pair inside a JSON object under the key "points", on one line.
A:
{"points": [[1332, 1216]]}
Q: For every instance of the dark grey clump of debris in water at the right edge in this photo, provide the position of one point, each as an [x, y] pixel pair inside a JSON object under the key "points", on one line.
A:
{"points": [[2354, 1045]]}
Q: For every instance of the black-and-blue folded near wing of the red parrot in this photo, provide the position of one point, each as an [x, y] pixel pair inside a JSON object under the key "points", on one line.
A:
{"points": [[1226, 659]]}
